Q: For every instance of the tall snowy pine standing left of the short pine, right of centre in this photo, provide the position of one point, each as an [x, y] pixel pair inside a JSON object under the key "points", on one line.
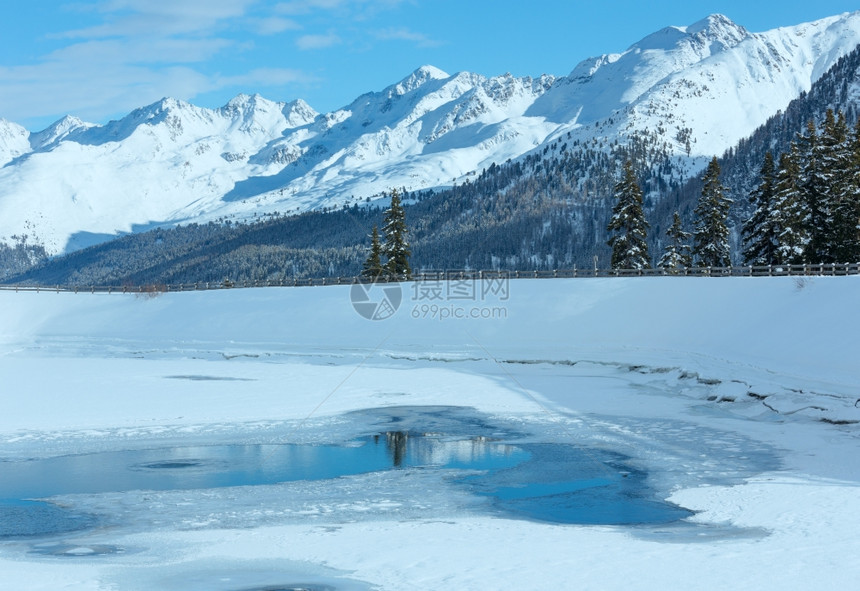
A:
{"points": [[629, 245]]}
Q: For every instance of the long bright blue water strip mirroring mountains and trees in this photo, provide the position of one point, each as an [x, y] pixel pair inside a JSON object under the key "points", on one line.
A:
{"points": [[217, 466]]}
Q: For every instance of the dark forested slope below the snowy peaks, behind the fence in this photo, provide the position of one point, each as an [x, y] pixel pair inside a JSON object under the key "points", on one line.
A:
{"points": [[531, 213]]}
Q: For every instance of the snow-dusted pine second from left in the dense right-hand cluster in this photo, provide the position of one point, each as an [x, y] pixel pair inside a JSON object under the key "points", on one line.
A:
{"points": [[789, 210]]}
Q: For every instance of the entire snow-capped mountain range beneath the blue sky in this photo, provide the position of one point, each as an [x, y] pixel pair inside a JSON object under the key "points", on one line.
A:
{"points": [[698, 89]]}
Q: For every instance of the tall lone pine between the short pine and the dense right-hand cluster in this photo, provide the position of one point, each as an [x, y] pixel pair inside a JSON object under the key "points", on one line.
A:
{"points": [[711, 234]]}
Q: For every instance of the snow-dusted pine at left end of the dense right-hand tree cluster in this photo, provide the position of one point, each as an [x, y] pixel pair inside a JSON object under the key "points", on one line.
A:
{"points": [[761, 230]]}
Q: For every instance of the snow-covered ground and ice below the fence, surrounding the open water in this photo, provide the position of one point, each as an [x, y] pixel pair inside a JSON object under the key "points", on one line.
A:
{"points": [[738, 396]]}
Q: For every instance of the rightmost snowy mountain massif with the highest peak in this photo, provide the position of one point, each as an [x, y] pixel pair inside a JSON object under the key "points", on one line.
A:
{"points": [[713, 82]]}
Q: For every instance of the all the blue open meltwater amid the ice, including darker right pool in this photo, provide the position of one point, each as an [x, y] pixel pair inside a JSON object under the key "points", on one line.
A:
{"points": [[551, 482]]}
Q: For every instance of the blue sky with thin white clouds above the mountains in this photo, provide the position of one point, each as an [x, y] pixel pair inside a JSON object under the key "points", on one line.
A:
{"points": [[98, 60]]}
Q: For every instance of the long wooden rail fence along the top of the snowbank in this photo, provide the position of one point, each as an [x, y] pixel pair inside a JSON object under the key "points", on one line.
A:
{"points": [[841, 269]]}
